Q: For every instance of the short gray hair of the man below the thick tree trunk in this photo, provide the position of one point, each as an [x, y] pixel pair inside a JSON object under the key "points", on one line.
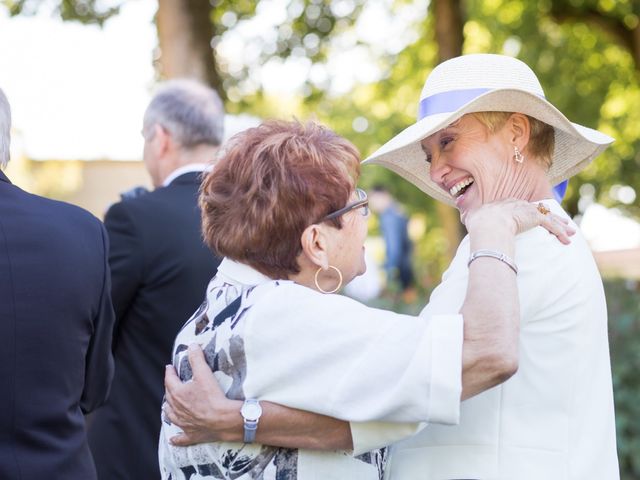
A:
{"points": [[192, 113]]}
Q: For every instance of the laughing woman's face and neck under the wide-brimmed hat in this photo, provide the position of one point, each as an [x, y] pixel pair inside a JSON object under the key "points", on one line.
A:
{"points": [[473, 165]]}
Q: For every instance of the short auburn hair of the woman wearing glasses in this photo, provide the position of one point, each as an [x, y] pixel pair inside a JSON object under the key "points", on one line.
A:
{"points": [[269, 184]]}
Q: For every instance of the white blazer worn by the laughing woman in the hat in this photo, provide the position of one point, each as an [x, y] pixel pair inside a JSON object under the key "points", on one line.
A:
{"points": [[554, 419]]}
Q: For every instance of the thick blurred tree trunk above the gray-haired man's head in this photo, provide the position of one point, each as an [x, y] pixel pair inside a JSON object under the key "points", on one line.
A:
{"points": [[185, 32]]}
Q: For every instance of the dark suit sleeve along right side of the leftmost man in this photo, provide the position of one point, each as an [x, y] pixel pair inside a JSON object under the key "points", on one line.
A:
{"points": [[99, 365]]}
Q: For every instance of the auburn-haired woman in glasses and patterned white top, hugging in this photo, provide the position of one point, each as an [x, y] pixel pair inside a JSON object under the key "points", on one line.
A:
{"points": [[283, 208]]}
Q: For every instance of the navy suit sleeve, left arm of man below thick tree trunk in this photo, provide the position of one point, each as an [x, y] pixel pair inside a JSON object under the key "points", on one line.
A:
{"points": [[125, 260]]}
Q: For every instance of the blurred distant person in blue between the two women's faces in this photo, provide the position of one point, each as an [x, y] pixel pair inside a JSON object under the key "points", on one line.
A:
{"points": [[398, 245]]}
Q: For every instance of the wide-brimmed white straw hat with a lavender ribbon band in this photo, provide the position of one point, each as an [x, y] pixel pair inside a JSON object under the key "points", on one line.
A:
{"points": [[485, 83]]}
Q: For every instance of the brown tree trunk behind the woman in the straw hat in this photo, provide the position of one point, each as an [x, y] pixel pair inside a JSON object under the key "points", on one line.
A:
{"points": [[449, 22]]}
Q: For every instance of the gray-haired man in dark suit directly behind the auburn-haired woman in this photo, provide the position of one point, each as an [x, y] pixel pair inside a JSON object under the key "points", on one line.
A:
{"points": [[160, 270]]}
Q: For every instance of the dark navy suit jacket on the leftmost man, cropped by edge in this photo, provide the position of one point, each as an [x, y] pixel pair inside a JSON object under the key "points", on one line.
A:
{"points": [[56, 323]]}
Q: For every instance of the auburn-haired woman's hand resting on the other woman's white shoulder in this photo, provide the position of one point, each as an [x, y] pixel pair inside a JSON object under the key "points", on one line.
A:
{"points": [[518, 216]]}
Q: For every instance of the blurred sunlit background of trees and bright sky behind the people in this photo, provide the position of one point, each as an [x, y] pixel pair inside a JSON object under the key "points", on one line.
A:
{"points": [[79, 75]]}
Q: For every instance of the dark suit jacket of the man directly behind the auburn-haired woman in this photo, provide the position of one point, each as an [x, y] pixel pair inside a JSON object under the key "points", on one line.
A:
{"points": [[160, 270]]}
